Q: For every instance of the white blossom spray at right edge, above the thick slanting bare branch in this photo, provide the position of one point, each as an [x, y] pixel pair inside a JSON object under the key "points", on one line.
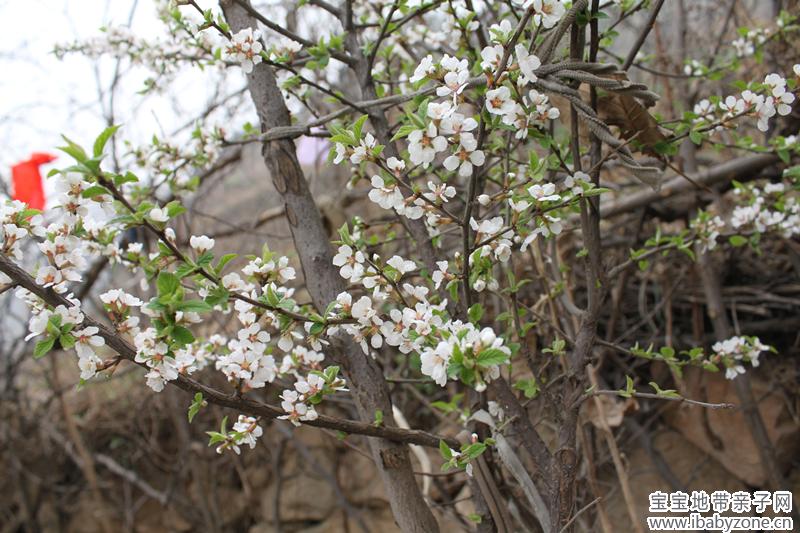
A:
{"points": [[770, 99]]}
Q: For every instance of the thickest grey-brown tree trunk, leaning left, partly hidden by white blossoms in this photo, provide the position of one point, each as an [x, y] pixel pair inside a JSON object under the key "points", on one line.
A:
{"points": [[324, 284]]}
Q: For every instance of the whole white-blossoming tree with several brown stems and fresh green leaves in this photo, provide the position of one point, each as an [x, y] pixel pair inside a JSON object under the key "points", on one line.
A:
{"points": [[501, 141]]}
